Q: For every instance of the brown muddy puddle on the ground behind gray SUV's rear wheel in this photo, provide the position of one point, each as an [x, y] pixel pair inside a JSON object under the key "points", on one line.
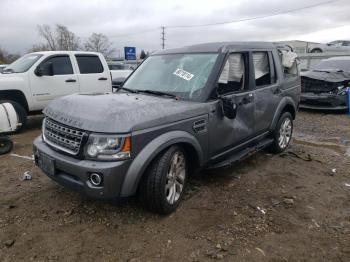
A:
{"points": [[337, 144]]}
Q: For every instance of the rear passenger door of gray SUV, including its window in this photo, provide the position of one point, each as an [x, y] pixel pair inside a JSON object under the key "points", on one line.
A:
{"points": [[267, 90]]}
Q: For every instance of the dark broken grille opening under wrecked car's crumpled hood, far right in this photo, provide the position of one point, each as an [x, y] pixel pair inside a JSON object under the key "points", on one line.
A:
{"points": [[318, 86]]}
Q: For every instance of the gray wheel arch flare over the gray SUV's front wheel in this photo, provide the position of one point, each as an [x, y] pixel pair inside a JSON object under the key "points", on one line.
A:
{"points": [[149, 152]]}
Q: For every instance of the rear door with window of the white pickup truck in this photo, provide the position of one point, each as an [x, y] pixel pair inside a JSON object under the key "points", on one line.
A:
{"points": [[94, 76]]}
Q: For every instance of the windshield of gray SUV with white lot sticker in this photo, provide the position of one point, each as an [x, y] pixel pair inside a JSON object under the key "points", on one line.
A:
{"points": [[183, 75]]}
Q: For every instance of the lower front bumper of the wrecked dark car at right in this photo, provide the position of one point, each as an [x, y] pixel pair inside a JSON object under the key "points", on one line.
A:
{"points": [[323, 101]]}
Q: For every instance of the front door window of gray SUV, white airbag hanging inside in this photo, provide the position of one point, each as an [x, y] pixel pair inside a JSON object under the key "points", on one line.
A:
{"points": [[233, 77]]}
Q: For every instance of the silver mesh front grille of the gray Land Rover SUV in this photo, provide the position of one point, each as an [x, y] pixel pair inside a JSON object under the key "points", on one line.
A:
{"points": [[62, 137]]}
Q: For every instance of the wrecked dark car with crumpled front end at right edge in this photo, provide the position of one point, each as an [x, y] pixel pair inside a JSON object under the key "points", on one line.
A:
{"points": [[325, 86]]}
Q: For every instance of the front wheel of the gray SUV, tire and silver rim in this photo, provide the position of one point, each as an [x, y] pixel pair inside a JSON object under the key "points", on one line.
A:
{"points": [[162, 188]]}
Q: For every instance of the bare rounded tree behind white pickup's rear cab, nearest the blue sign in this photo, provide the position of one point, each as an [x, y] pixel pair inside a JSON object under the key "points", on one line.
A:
{"points": [[99, 43]]}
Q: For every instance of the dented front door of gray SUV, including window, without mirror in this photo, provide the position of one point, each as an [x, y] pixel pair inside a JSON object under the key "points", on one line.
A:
{"points": [[234, 83]]}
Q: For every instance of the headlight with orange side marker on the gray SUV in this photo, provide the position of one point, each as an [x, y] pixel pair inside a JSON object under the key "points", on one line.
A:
{"points": [[108, 147]]}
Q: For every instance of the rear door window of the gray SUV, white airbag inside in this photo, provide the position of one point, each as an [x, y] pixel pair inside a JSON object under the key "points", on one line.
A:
{"points": [[262, 69]]}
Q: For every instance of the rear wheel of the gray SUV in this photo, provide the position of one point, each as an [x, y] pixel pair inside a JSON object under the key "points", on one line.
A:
{"points": [[283, 133]]}
